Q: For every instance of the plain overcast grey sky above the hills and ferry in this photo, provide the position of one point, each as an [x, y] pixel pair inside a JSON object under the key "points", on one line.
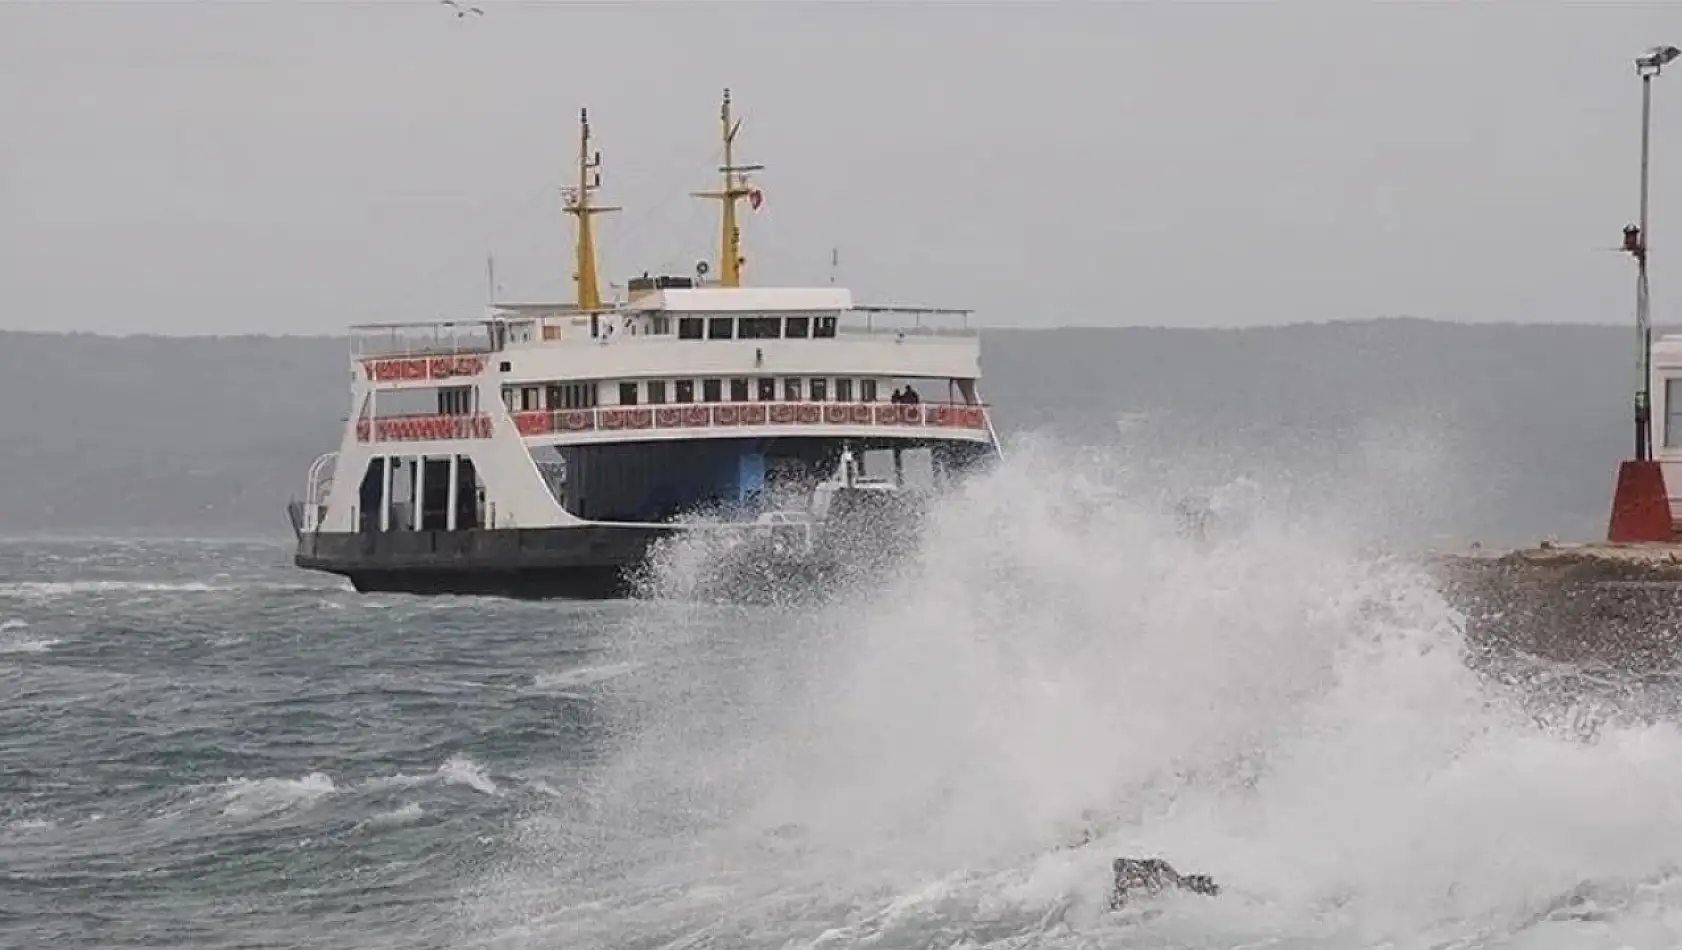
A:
{"points": [[299, 167]]}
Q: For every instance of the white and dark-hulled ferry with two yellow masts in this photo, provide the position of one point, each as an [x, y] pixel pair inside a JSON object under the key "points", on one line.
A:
{"points": [[544, 450]]}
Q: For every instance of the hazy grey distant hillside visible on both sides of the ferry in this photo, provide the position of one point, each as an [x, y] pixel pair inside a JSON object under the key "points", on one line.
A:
{"points": [[208, 436]]}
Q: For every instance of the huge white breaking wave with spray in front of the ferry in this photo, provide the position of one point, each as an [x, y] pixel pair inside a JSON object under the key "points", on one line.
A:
{"points": [[1061, 677]]}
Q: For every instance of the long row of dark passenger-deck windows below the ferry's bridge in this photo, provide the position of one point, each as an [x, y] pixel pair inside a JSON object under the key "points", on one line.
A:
{"points": [[660, 393]]}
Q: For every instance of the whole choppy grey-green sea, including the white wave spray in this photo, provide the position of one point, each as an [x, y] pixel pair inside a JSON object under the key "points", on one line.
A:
{"points": [[203, 747]]}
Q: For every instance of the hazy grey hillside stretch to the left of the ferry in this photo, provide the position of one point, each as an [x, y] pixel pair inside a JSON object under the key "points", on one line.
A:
{"points": [[164, 435]]}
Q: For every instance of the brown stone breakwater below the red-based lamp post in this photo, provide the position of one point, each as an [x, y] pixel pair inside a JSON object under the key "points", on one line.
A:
{"points": [[1585, 604]]}
